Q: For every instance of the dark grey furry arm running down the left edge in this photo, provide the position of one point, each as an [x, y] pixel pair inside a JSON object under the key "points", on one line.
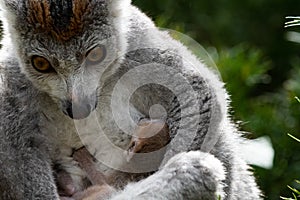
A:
{"points": [[25, 166]]}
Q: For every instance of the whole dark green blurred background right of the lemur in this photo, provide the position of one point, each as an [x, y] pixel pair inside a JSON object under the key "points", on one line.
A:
{"points": [[260, 66]]}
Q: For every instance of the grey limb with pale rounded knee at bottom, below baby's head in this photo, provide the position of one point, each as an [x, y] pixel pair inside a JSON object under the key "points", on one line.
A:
{"points": [[192, 175]]}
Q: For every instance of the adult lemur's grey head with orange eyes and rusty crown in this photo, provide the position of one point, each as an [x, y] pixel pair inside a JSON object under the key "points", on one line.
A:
{"points": [[66, 46]]}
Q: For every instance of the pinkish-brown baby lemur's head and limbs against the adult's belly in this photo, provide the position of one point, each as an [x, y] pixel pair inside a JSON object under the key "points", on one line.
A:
{"points": [[150, 135]]}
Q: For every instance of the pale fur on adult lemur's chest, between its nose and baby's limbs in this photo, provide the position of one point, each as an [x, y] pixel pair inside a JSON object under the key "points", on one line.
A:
{"points": [[100, 137]]}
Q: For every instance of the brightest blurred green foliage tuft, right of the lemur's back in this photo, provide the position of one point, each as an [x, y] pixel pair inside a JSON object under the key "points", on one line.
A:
{"points": [[242, 69]]}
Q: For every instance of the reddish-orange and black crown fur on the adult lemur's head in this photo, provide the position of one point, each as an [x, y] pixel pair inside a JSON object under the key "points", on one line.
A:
{"points": [[62, 19]]}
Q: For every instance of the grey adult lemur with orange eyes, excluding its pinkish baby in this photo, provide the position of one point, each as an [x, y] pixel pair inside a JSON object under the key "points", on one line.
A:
{"points": [[82, 73]]}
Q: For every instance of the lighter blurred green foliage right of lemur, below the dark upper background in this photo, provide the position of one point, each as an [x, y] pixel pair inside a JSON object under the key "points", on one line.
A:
{"points": [[244, 71]]}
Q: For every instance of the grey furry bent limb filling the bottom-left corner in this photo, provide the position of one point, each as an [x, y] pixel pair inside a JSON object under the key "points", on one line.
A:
{"points": [[25, 174]]}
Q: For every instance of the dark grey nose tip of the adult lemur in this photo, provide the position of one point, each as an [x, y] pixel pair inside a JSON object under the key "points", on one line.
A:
{"points": [[77, 111]]}
